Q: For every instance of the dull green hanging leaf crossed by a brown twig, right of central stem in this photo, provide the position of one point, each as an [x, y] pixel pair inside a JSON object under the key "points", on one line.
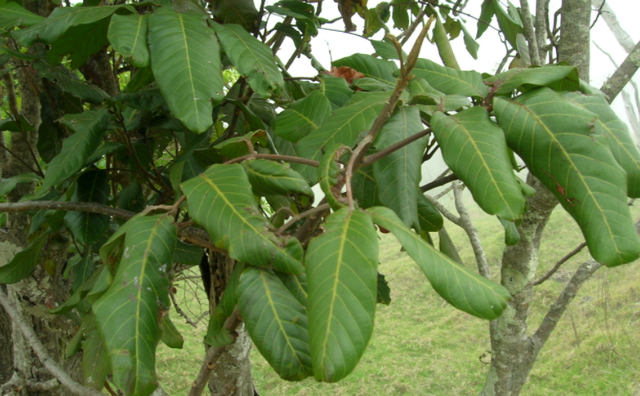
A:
{"points": [[398, 174]]}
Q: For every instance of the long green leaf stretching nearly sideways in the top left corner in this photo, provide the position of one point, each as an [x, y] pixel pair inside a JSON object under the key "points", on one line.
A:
{"points": [[61, 20]]}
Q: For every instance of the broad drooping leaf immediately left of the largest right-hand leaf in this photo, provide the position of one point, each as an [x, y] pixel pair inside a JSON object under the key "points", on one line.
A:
{"points": [[476, 151]]}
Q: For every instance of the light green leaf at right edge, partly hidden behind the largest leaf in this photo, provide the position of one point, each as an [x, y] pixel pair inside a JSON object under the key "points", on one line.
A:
{"points": [[620, 142]]}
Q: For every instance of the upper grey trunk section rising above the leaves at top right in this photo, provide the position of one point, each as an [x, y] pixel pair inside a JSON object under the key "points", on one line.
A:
{"points": [[574, 35]]}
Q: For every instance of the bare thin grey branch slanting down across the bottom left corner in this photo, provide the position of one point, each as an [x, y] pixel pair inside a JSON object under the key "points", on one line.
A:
{"points": [[48, 362]]}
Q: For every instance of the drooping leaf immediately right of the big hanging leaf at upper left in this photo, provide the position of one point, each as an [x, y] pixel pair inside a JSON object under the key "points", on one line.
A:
{"points": [[252, 58]]}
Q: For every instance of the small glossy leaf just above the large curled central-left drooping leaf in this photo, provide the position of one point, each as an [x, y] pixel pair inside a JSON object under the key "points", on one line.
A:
{"points": [[270, 177]]}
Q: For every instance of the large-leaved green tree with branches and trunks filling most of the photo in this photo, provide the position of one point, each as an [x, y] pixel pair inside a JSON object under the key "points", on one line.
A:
{"points": [[145, 154]]}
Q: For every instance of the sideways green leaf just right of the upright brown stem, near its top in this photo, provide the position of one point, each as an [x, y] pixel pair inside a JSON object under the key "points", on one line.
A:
{"points": [[450, 81]]}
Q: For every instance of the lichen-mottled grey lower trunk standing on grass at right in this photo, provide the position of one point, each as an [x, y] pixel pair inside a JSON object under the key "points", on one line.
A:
{"points": [[511, 349]]}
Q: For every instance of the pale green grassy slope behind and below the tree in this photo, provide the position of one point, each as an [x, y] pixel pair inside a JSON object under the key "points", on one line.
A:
{"points": [[423, 346]]}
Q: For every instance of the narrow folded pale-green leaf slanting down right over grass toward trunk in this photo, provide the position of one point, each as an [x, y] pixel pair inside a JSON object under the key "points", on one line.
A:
{"points": [[460, 286]]}
